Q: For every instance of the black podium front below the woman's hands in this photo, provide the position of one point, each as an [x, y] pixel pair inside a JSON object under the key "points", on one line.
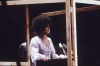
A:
{"points": [[52, 62]]}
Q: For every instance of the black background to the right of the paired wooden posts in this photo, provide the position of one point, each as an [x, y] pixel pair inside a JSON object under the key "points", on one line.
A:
{"points": [[88, 36]]}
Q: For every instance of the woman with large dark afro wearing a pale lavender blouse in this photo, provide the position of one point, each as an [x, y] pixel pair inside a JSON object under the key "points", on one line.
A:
{"points": [[41, 46]]}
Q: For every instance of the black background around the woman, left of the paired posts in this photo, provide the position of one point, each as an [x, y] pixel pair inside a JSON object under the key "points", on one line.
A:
{"points": [[13, 30]]}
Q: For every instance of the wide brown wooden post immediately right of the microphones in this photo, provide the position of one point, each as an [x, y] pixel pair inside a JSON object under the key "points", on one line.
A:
{"points": [[68, 31]]}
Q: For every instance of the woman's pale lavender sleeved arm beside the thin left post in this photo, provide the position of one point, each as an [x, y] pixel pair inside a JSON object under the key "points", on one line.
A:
{"points": [[34, 51]]}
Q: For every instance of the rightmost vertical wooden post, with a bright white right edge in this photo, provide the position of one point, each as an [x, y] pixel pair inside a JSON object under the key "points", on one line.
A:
{"points": [[74, 41]]}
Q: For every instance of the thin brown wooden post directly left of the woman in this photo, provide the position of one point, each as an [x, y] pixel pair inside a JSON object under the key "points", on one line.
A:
{"points": [[27, 35]]}
